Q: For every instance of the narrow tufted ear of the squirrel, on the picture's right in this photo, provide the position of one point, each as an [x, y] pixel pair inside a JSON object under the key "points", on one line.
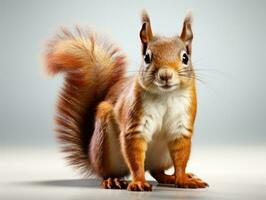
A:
{"points": [[187, 34]]}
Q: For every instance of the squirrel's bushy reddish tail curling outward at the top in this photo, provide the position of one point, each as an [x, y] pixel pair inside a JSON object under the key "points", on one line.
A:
{"points": [[91, 66]]}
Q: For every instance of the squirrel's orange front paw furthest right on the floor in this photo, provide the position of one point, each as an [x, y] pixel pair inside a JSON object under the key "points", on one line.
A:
{"points": [[190, 181]]}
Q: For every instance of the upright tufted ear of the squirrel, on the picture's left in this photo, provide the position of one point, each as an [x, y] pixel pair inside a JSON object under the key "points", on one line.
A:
{"points": [[145, 32]]}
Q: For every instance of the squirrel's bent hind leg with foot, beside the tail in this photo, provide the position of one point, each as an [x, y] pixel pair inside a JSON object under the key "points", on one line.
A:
{"points": [[105, 153]]}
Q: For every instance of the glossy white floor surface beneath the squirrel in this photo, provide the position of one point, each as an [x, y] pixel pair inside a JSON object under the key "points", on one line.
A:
{"points": [[237, 172]]}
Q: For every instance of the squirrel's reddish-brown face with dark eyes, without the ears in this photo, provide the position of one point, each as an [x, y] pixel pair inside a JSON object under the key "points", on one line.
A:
{"points": [[166, 65]]}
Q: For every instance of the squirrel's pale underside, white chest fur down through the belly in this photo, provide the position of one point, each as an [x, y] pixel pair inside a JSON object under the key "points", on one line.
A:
{"points": [[164, 119]]}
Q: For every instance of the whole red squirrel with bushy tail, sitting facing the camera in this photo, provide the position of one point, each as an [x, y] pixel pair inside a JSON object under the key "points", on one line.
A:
{"points": [[113, 125]]}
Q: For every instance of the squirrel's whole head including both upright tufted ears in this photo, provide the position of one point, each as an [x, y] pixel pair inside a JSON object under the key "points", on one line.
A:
{"points": [[166, 65]]}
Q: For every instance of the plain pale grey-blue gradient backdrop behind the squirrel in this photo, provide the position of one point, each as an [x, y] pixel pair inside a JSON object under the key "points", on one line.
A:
{"points": [[229, 48]]}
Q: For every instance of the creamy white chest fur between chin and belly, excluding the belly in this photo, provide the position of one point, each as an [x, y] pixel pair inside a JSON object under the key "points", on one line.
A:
{"points": [[166, 116]]}
